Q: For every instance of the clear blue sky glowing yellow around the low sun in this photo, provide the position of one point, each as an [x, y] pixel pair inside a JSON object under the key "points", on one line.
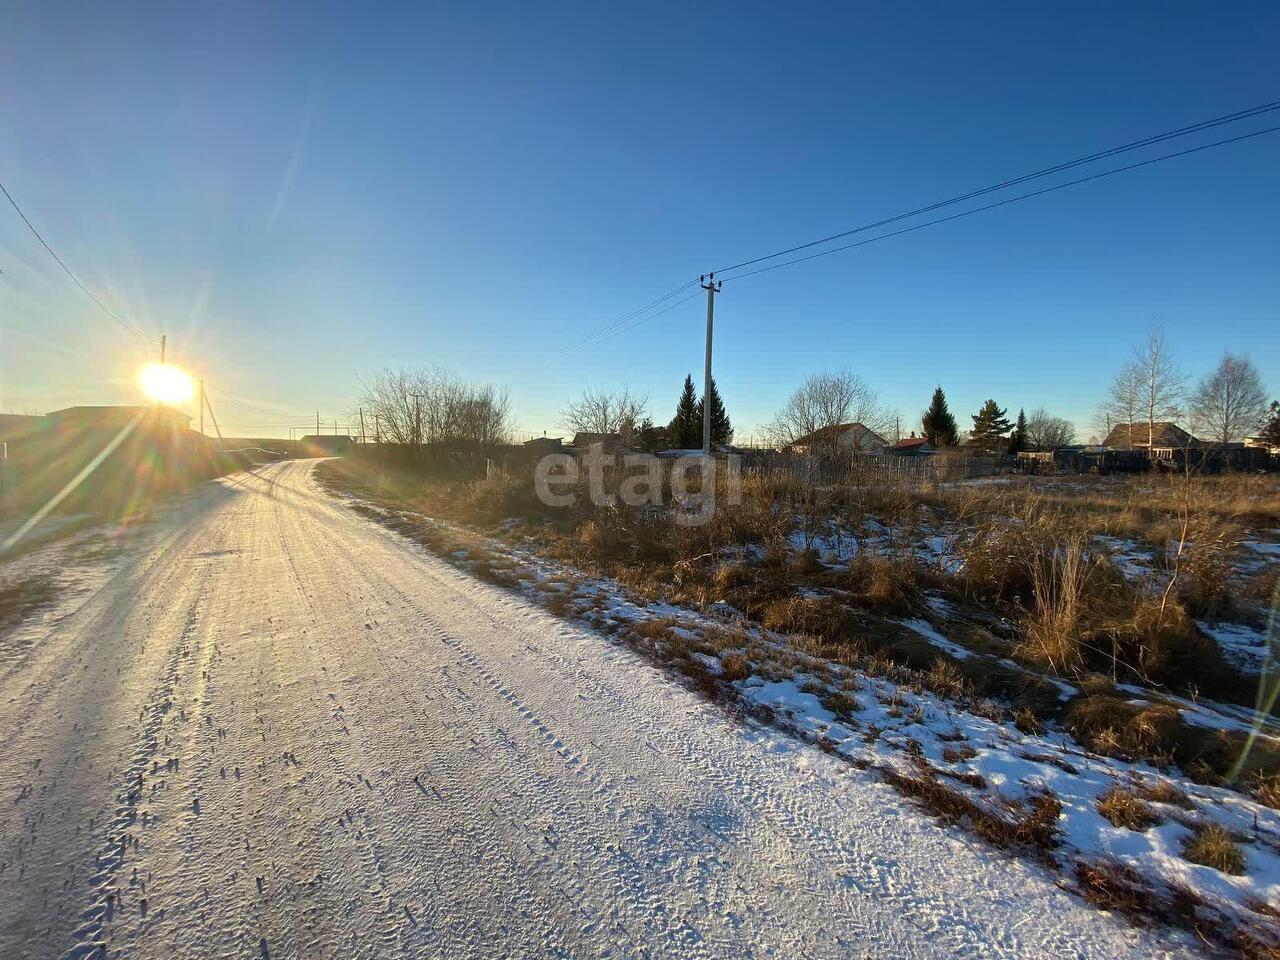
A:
{"points": [[303, 195]]}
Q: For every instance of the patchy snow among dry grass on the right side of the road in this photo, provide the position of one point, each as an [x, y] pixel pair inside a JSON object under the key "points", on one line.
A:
{"points": [[899, 728]]}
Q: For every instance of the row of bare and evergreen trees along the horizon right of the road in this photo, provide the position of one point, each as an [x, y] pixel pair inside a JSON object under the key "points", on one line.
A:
{"points": [[437, 408]]}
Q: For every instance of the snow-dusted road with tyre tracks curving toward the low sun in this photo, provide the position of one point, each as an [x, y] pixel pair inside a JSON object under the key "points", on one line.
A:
{"points": [[280, 730]]}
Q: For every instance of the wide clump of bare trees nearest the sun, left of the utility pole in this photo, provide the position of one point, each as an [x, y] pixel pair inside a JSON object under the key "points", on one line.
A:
{"points": [[436, 406]]}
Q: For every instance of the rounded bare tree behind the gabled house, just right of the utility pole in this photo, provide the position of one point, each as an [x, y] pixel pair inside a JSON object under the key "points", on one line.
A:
{"points": [[826, 401]]}
